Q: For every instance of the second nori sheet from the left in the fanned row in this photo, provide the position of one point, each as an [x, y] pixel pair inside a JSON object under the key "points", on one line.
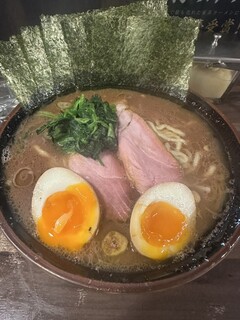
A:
{"points": [[33, 48]]}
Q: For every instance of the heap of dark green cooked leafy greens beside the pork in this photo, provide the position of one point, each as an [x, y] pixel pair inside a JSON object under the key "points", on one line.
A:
{"points": [[87, 127]]}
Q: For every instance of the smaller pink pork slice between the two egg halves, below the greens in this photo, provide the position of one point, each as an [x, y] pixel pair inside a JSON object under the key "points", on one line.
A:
{"points": [[109, 181]]}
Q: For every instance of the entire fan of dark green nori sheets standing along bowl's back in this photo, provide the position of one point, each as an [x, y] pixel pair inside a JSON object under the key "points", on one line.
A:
{"points": [[136, 45]]}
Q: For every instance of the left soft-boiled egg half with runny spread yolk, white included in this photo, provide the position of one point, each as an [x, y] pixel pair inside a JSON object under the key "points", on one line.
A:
{"points": [[65, 209]]}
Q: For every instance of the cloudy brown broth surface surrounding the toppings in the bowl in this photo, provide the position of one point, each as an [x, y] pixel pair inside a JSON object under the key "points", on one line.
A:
{"points": [[27, 145]]}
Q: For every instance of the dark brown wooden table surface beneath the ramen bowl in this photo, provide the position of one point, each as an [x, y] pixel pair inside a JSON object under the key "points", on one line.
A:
{"points": [[28, 292]]}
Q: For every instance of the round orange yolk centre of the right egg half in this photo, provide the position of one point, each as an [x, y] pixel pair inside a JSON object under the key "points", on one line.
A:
{"points": [[162, 223]]}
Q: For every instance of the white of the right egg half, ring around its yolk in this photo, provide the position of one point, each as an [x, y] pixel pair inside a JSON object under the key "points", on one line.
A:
{"points": [[177, 195]]}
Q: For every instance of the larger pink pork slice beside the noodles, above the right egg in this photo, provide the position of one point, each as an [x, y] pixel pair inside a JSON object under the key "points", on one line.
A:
{"points": [[145, 159]]}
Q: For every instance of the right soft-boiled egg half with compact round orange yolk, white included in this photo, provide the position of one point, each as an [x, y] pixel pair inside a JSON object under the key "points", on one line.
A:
{"points": [[163, 220]]}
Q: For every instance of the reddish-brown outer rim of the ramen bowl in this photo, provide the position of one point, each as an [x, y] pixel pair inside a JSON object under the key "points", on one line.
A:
{"points": [[121, 287]]}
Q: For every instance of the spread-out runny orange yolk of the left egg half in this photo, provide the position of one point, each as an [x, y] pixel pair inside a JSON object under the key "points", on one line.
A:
{"points": [[68, 216]]}
